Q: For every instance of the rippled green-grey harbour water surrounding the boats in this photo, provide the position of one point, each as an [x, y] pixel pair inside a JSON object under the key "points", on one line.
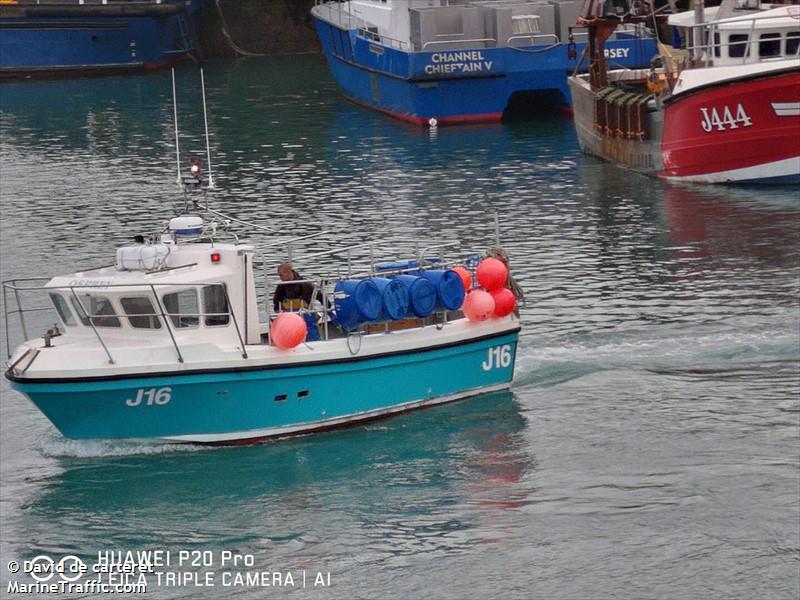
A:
{"points": [[649, 447]]}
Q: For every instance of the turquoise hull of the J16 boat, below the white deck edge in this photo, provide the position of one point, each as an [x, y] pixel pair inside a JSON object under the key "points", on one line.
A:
{"points": [[249, 404]]}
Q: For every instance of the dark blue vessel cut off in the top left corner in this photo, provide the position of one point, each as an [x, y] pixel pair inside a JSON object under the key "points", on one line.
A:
{"points": [[83, 36]]}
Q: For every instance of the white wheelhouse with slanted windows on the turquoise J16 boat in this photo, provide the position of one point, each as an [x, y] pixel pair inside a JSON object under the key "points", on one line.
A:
{"points": [[205, 289]]}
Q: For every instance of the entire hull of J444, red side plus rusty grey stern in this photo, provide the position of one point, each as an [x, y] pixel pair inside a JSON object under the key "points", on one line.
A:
{"points": [[740, 131]]}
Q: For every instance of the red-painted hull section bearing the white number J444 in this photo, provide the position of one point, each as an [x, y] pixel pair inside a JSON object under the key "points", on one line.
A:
{"points": [[688, 149]]}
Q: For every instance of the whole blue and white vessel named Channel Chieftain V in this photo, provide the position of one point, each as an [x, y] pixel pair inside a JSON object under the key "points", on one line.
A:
{"points": [[456, 61]]}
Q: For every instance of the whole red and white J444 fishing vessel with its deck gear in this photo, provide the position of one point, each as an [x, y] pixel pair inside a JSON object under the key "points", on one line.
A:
{"points": [[721, 106]]}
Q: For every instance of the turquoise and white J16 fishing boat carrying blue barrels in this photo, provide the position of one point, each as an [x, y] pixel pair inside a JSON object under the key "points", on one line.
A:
{"points": [[169, 343]]}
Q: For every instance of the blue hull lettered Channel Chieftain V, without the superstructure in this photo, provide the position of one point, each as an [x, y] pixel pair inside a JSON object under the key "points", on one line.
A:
{"points": [[454, 87]]}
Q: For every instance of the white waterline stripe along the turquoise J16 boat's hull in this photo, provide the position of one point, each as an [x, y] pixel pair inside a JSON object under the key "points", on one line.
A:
{"points": [[352, 418]]}
